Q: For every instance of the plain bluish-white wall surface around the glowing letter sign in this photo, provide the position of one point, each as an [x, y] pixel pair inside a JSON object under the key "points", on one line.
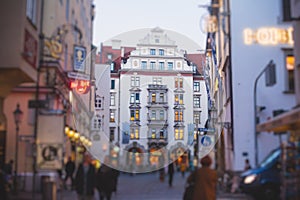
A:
{"points": [[247, 62]]}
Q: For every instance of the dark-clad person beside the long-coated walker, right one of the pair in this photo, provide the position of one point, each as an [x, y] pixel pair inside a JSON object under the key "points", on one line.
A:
{"points": [[105, 182]]}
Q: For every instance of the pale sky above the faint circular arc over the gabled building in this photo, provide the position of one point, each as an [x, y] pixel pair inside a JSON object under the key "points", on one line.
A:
{"points": [[114, 17]]}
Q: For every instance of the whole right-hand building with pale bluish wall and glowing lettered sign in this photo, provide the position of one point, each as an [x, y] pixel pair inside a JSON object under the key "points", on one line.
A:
{"points": [[241, 47]]}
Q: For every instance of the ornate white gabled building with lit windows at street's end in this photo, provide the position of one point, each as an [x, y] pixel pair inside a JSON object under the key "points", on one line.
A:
{"points": [[157, 93]]}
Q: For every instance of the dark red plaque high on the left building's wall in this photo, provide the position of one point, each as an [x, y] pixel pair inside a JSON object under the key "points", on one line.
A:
{"points": [[30, 49]]}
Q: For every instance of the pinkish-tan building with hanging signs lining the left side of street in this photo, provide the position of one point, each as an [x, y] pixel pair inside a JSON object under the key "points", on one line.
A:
{"points": [[46, 69]]}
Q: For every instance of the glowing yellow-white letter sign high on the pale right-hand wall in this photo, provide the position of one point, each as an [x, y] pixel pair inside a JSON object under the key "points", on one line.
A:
{"points": [[268, 36]]}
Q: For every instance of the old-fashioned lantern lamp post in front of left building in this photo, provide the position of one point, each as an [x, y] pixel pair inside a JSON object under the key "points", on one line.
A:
{"points": [[18, 114]]}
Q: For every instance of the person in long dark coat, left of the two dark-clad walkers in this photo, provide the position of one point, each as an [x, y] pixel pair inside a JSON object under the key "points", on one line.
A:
{"points": [[85, 179]]}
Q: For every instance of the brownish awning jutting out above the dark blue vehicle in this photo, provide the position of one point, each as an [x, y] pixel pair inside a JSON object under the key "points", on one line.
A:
{"points": [[285, 122]]}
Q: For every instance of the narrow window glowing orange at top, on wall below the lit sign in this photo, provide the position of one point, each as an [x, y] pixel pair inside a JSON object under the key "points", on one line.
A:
{"points": [[290, 67]]}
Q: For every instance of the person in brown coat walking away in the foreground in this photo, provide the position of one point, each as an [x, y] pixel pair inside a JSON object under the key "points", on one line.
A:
{"points": [[204, 180]]}
